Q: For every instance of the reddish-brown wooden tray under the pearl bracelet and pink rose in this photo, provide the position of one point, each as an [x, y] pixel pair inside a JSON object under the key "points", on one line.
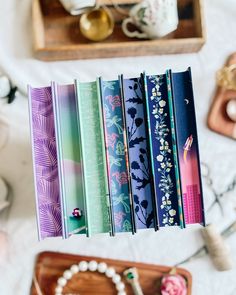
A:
{"points": [[51, 265]]}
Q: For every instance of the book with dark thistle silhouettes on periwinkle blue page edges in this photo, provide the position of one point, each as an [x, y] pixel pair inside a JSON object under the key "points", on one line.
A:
{"points": [[138, 156]]}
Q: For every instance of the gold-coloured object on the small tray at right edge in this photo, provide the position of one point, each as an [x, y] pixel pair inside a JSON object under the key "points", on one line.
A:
{"points": [[226, 77]]}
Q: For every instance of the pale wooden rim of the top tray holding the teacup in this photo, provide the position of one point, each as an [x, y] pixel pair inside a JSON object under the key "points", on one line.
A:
{"points": [[116, 49]]}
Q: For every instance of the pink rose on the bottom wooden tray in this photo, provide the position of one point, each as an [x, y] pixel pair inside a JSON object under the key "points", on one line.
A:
{"points": [[173, 285]]}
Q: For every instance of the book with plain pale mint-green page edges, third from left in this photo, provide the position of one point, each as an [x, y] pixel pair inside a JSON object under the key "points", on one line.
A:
{"points": [[89, 114]]}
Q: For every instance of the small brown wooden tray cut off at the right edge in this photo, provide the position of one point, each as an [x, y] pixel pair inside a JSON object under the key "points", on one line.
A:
{"points": [[222, 115]]}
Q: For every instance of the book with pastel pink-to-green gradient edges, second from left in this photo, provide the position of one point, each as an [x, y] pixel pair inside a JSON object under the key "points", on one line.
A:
{"points": [[69, 159]]}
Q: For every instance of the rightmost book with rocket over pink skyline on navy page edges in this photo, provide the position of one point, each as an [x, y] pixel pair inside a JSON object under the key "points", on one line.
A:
{"points": [[187, 142]]}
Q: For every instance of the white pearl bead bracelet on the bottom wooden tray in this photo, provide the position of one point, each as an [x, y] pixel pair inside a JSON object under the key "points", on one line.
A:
{"points": [[91, 266]]}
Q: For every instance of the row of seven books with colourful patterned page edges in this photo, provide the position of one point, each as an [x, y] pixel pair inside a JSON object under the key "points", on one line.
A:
{"points": [[115, 156]]}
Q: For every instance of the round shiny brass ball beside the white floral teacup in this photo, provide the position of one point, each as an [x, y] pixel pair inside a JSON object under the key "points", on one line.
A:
{"points": [[97, 24]]}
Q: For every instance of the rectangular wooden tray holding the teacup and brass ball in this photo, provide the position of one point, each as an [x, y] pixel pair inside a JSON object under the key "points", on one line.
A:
{"points": [[57, 35]]}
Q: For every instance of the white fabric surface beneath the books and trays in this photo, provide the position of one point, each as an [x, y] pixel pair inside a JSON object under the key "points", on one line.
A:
{"points": [[165, 247]]}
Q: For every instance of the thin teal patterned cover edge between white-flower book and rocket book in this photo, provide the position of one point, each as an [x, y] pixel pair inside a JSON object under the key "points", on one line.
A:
{"points": [[175, 152]]}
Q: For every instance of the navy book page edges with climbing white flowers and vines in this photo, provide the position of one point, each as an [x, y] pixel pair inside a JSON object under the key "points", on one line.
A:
{"points": [[161, 150]]}
